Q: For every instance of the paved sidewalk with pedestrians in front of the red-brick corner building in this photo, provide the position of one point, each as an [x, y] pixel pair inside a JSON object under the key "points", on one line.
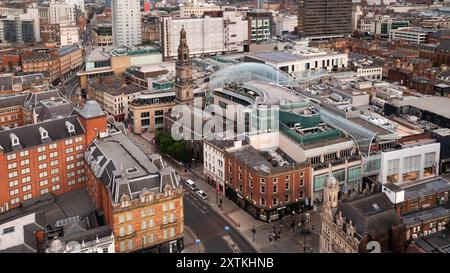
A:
{"points": [[244, 222]]}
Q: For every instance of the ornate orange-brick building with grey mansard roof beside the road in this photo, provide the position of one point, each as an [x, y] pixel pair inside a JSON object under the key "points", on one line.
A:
{"points": [[140, 197]]}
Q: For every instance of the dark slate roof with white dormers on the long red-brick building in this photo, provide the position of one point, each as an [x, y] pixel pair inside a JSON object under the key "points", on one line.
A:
{"points": [[29, 135]]}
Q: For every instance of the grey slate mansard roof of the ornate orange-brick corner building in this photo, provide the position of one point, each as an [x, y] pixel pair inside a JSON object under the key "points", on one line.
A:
{"points": [[125, 169]]}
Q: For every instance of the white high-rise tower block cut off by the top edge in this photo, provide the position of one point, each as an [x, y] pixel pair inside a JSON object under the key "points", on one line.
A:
{"points": [[126, 19]]}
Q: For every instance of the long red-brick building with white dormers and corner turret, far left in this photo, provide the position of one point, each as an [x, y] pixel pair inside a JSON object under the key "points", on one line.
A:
{"points": [[47, 157]]}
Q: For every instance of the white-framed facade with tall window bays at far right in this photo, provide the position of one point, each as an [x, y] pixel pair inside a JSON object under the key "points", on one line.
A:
{"points": [[410, 163]]}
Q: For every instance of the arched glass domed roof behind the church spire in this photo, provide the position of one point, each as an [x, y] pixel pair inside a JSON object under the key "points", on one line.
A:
{"points": [[247, 72]]}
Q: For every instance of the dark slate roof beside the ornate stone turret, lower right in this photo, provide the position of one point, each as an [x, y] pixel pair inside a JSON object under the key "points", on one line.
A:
{"points": [[371, 213]]}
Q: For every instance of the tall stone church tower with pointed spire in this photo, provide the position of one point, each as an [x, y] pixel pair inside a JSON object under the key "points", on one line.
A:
{"points": [[183, 81]]}
